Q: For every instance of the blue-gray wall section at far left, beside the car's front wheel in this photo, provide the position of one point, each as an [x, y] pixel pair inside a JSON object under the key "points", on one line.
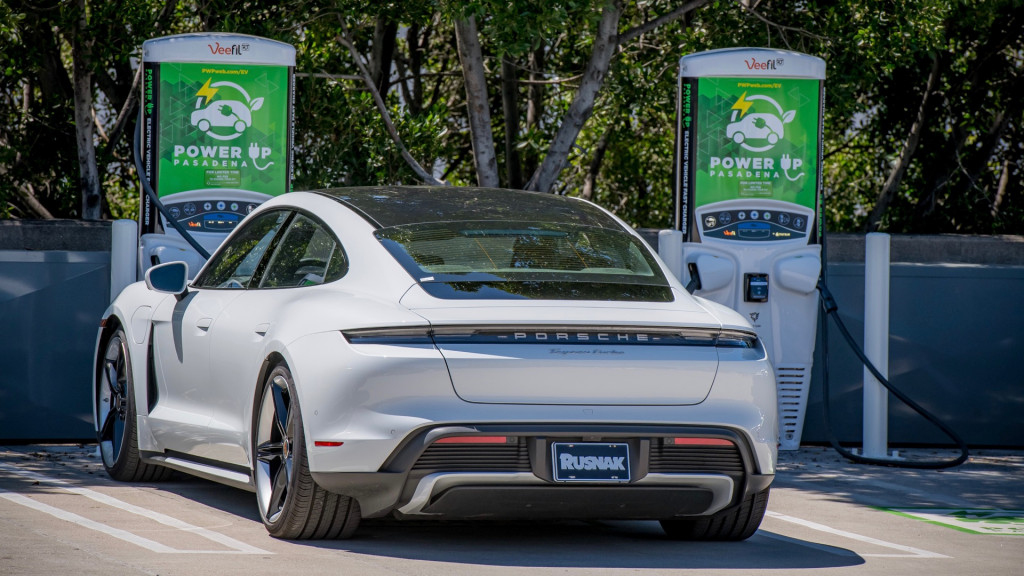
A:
{"points": [[55, 285]]}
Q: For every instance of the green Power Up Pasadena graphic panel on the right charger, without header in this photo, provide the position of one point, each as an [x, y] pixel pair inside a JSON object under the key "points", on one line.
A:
{"points": [[758, 139]]}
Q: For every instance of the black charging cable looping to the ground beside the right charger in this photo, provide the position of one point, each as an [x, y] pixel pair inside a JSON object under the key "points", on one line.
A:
{"points": [[831, 309]]}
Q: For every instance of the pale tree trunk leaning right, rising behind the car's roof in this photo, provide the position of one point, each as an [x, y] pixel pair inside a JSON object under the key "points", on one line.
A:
{"points": [[583, 105]]}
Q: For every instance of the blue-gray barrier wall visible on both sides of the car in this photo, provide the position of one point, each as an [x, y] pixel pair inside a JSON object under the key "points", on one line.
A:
{"points": [[956, 344]]}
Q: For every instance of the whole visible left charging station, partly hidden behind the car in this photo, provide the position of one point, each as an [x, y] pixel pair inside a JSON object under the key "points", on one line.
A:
{"points": [[215, 137]]}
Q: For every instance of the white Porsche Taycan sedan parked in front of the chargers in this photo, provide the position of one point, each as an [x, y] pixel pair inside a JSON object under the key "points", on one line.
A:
{"points": [[442, 353]]}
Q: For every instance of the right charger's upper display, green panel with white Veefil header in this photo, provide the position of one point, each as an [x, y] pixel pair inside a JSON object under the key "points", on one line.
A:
{"points": [[750, 128]]}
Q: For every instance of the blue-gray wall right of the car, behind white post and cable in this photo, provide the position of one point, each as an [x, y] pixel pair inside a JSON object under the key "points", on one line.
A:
{"points": [[956, 341]]}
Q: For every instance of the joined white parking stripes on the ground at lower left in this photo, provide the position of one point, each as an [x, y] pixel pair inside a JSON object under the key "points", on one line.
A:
{"points": [[236, 546]]}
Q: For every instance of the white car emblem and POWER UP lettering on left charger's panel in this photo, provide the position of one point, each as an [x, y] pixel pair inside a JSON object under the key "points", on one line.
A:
{"points": [[226, 118]]}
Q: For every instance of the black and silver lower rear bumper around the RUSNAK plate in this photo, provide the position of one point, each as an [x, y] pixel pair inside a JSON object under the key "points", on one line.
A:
{"points": [[419, 481]]}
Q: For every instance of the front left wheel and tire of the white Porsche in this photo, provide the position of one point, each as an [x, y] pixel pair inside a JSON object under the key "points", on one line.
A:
{"points": [[117, 425]]}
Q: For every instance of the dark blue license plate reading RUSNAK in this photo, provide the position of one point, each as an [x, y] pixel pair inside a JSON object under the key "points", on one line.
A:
{"points": [[591, 463]]}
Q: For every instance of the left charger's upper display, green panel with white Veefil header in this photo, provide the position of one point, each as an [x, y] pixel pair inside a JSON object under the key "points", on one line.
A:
{"points": [[218, 113]]}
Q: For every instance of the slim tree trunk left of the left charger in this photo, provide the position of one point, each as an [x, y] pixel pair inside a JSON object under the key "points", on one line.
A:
{"points": [[82, 80]]}
